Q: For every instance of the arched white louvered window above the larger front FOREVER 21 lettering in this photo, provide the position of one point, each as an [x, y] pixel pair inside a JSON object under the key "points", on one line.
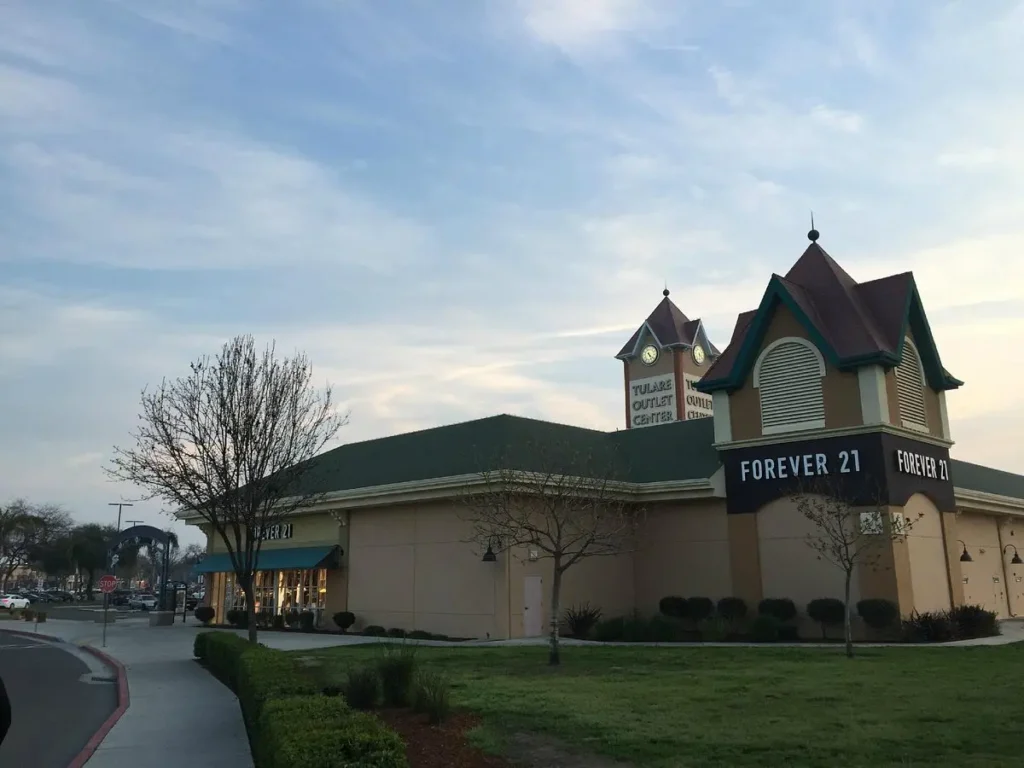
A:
{"points": [[789, 377]]}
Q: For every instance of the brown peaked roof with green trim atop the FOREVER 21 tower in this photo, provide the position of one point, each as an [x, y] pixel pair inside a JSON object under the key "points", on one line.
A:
{"points": [[855, 324]]}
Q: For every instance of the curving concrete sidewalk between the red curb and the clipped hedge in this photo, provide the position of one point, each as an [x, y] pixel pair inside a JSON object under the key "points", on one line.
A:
{"points": [[179, 714]]}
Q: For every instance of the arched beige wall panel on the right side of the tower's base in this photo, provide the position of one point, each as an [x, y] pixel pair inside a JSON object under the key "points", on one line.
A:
{"points": [[927, 554]]}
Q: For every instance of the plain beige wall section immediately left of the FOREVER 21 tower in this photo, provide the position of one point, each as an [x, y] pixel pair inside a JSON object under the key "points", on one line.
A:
{"points": [[684, 549]]}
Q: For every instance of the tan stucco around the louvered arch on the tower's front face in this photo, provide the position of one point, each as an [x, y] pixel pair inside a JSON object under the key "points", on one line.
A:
{"points": [[841, 391]]}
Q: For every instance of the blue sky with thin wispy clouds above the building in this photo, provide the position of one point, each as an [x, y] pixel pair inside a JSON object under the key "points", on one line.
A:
{"points": [[465, 208]]}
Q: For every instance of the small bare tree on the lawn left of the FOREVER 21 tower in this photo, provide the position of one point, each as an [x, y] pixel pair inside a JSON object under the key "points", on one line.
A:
{"points": [[569, 508]]}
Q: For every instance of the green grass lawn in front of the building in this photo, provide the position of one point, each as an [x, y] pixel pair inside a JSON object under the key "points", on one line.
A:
{"points": [[747, 707]]}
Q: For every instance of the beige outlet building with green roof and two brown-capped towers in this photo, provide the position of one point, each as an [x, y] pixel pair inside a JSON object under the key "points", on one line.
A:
{"points": [[827, 379]]}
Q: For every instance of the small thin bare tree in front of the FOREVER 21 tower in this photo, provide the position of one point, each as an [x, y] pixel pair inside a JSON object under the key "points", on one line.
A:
{"points": [[849, 535]]}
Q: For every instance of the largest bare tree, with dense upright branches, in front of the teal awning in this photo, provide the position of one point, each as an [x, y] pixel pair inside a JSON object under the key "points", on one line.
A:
{"points": [[231, 443]]}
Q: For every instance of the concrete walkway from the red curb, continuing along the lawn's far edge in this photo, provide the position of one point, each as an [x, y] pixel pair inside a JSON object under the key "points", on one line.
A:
{"points": [[180, 714]]}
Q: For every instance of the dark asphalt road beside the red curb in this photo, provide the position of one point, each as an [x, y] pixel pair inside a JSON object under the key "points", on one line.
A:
{"points": [[55, 714]]}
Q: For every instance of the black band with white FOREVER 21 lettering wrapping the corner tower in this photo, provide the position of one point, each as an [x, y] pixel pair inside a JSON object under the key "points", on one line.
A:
{"points": [[864, 470]]}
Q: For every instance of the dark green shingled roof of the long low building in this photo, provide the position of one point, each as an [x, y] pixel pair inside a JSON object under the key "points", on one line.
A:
{"points": [[678, 451]]}
